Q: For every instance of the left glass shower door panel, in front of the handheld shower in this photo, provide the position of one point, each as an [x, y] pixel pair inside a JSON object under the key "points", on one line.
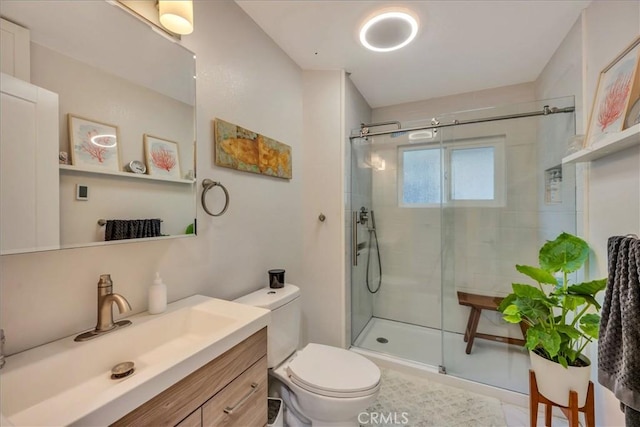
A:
{"points": [[396, 284]]}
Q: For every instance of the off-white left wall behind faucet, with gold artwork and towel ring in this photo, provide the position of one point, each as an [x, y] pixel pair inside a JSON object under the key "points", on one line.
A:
{"points": [[245, 79]]}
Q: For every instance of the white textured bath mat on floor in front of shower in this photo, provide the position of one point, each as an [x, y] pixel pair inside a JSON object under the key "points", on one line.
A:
{"points": [[406, 400]]}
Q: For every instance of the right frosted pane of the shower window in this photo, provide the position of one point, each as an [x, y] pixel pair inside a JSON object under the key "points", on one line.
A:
{"points": [[472, 173]]}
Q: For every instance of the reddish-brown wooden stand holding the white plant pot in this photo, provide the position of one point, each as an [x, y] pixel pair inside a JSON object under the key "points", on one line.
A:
{"points": [[571, 412]]}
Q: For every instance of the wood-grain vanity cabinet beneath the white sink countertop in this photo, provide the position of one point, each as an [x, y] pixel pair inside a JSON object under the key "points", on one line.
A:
{"points": [[231, 390]]}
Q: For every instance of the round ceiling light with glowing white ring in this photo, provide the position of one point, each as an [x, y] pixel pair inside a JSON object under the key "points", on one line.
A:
{"points": [[388, 31]]}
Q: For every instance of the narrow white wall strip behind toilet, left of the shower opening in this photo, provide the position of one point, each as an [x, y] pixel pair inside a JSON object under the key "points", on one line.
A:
{"points": [[323, 292]]}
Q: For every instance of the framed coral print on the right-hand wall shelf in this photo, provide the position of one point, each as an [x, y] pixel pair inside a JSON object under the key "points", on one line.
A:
{"points": [[618, 87]]}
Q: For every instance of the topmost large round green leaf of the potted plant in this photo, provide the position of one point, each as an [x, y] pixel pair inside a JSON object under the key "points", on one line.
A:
{"points": [[566, 253]]}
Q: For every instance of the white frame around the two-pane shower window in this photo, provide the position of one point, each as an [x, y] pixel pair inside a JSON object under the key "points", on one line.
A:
{"points": [[496, 142]]}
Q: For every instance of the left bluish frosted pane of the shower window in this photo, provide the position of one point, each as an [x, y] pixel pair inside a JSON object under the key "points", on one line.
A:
{"points": [[421, 176]]}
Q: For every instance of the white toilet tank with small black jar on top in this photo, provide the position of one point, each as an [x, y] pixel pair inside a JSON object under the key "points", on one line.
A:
{"points": [[283, 332]]}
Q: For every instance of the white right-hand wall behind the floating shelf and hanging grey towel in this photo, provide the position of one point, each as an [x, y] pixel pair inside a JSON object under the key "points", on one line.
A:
{"points": [[608, 201]]}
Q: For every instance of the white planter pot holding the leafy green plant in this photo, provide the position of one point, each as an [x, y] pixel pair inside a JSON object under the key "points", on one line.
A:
{"points": [[555, 381]]}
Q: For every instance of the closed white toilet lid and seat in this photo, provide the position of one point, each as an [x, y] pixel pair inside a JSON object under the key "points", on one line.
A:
{"points": [[332, 371]]}
